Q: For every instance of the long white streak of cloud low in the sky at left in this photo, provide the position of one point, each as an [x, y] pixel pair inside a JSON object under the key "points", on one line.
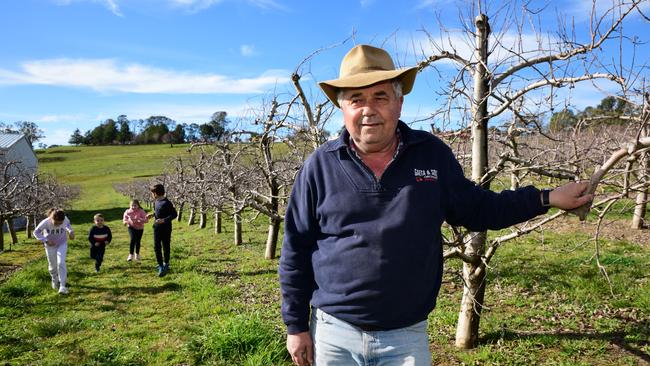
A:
{"points": [[107, 75]]}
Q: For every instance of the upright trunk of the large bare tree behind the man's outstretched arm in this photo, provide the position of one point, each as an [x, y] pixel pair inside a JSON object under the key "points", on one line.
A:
{"points": [[474, 286]]}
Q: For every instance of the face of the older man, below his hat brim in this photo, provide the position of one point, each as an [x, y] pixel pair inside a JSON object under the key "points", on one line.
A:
{"points": [[370, 115]]}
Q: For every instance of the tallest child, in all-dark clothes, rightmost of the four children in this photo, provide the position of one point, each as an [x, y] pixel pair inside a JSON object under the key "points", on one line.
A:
{"points": [[164, 213]]}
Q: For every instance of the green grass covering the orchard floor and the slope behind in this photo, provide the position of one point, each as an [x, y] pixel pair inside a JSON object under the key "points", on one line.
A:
{"points": [[547, 302]]}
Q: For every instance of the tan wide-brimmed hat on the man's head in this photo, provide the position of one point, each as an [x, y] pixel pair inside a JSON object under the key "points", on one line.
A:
{"points": [[364, 66]]}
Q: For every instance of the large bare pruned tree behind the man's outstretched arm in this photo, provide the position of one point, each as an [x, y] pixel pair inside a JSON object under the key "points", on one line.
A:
{"points": [[505, 76]]}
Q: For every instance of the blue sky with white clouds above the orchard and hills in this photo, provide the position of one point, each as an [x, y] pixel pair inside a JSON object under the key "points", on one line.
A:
{"points": [[68, 64]]}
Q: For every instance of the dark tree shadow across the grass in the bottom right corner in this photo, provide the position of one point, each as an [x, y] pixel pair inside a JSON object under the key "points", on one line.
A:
{"points": [[616, 337]]}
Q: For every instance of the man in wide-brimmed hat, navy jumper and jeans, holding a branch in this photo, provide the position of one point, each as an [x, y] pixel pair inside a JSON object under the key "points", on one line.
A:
{"points": [[361, 262]]}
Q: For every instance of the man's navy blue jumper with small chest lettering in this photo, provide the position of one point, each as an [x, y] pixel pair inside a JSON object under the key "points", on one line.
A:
{"points": [[369, 251]]}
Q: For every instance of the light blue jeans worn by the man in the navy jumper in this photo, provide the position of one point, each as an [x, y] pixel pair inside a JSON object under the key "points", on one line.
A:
{"points": [[337, 343]]}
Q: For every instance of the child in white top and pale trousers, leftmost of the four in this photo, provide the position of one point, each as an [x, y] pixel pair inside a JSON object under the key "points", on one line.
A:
{"points": [[54, 232]]}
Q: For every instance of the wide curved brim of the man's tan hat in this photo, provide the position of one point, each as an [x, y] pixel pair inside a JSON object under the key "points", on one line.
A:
{"points": [[332, 87]]}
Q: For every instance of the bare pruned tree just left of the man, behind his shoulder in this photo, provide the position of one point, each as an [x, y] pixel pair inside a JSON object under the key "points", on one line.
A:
{"points": [[296, 121]]}
